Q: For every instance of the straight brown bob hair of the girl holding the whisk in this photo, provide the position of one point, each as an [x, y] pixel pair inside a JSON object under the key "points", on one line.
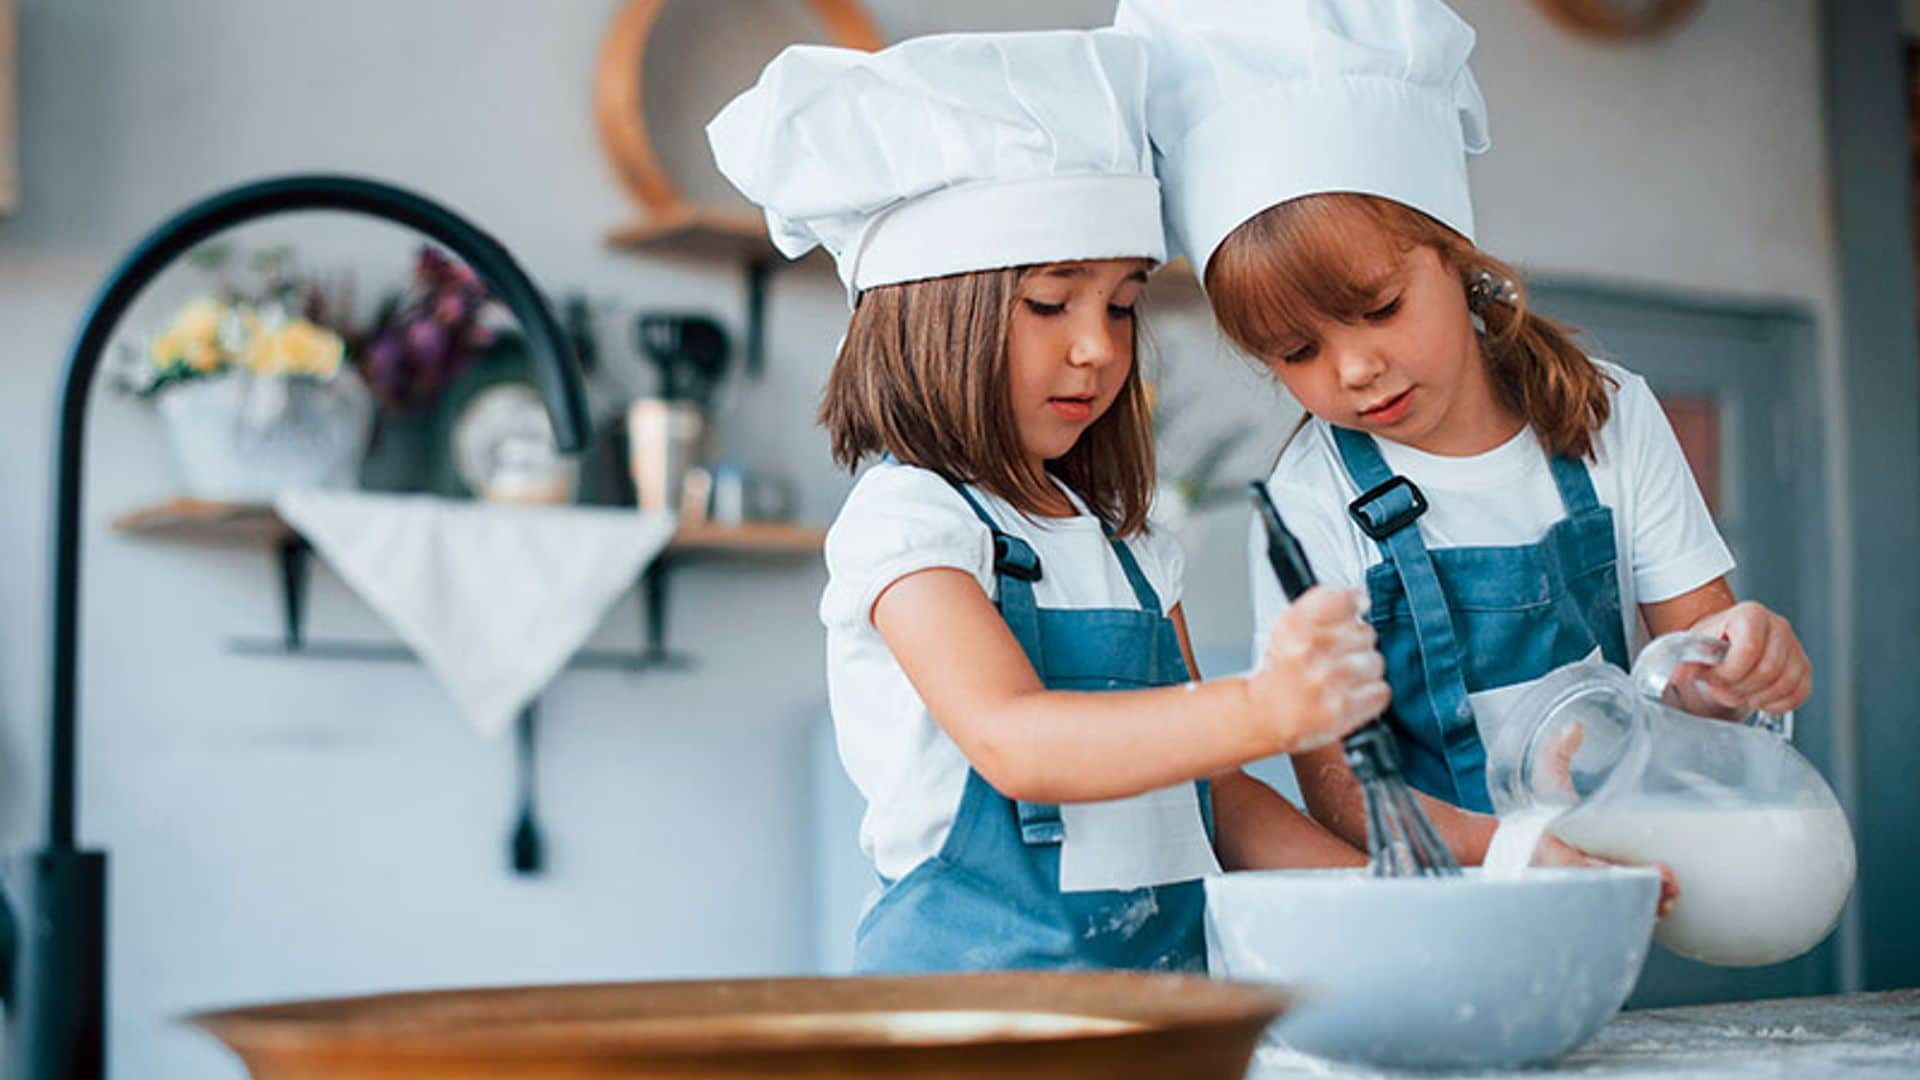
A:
{"points": [[923, 376]]}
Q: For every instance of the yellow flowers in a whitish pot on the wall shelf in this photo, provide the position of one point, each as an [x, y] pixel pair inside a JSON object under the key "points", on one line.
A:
{"points": [[254, 387]]}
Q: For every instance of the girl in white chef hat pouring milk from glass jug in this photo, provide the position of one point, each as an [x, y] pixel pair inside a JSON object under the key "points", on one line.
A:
{"points": [[1508, 504]]}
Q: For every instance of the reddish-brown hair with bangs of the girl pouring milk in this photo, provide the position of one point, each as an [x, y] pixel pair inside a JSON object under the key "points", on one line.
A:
{"points": [[1293, 266]]}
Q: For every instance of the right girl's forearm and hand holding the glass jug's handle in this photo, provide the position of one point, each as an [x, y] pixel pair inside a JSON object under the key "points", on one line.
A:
{"points": [[1765, 666]]}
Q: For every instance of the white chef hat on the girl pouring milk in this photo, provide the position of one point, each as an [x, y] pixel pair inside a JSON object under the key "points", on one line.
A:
{"points": [[1255, 103]]}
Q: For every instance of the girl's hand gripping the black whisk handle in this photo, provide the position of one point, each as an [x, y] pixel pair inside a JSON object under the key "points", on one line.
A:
{"points": [[1320, 675]]}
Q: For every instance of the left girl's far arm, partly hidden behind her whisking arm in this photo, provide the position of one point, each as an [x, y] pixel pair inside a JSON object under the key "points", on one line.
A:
{"points": [[1255, 827]]}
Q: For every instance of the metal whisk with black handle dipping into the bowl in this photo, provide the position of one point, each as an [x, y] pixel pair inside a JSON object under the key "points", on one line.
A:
{"points": [[1401, 841]]}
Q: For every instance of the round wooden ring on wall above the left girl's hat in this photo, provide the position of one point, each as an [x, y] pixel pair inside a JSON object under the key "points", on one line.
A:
{"points": [[619, 105]]}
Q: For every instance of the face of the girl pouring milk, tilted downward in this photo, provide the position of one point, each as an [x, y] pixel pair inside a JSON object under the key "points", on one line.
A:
{"points": [[1408, 370]]}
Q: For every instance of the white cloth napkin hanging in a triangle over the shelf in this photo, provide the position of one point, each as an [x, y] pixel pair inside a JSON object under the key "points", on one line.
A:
{"points": [[494, 599]]}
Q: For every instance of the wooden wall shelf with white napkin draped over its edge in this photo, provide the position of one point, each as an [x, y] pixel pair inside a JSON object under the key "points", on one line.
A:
{"points": [[201, 520]]}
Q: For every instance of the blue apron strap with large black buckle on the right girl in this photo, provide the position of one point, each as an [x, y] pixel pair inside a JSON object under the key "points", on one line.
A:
{"points": [[1389, 514]]}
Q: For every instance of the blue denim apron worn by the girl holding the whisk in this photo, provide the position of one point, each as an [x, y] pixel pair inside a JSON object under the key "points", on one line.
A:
{"points": [[992, 900]]}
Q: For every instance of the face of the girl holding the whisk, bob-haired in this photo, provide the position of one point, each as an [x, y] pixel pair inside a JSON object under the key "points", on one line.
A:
{"points": [[1070, 349]]}
